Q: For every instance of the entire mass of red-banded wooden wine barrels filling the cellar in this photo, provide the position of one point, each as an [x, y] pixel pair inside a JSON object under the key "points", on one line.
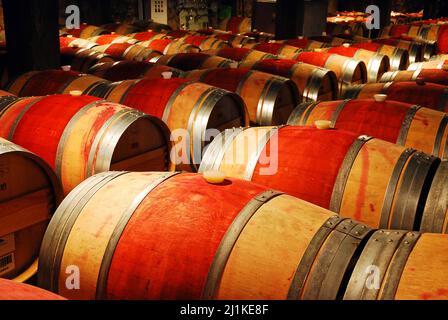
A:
{"points": [[248, 168]]}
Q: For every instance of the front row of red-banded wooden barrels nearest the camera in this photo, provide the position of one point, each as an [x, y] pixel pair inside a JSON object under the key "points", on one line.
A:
{"points": [[221, 242]]}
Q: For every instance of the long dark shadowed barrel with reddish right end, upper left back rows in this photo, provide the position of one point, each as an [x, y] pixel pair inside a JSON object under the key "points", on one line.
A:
{"points": [[126, 69]]}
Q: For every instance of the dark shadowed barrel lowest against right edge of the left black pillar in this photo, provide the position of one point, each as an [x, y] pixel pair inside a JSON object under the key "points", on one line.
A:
{"points": [[82, 59]]}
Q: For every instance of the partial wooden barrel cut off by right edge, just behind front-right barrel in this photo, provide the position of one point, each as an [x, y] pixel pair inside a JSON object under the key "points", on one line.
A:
{"points": [[435, 216]]}
